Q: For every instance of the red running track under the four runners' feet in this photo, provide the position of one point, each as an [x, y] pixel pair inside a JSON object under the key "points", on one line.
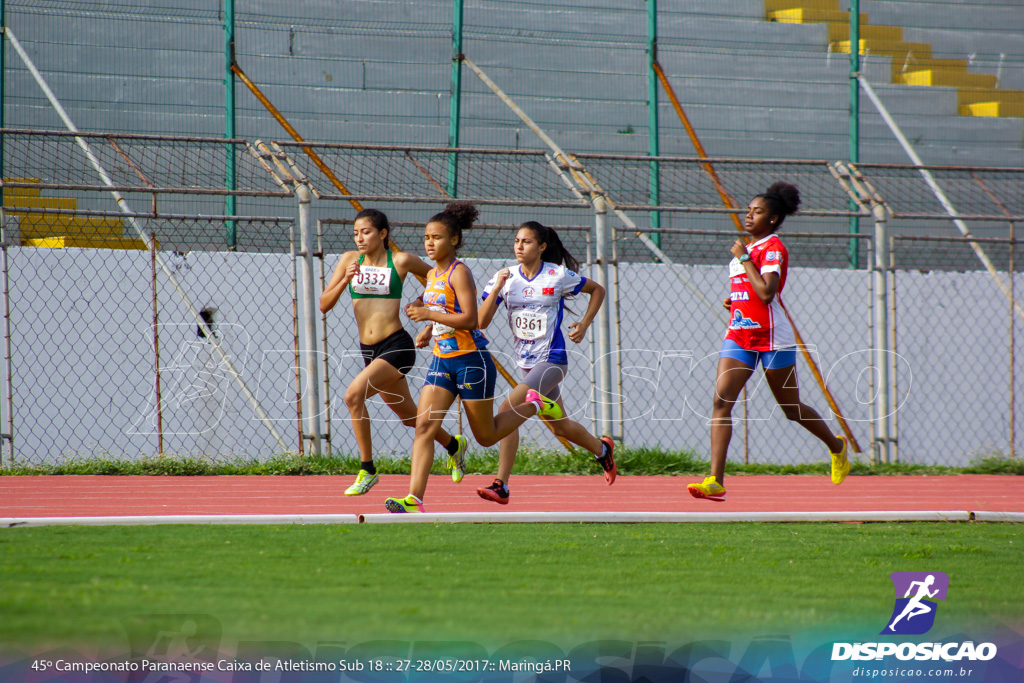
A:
{"points": [[69, 496]]}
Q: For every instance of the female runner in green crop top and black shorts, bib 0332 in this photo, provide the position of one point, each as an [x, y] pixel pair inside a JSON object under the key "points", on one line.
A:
{"points": [[374, 276]]}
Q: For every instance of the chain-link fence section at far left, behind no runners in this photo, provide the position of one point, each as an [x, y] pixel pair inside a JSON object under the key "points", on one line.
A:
{"points": [[108, 358]]}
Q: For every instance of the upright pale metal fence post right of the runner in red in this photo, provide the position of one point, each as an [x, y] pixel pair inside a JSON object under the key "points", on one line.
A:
{"points": [[881, 331]]}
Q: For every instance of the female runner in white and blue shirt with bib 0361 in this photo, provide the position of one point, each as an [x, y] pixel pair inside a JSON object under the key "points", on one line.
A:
{"points": [[535, 295]]}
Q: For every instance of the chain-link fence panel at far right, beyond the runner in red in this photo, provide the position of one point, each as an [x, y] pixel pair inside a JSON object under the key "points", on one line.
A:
{"points": [[959, 375]]}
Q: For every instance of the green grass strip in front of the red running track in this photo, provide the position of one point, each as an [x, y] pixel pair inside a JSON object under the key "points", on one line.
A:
{"points": [[492, 583]]}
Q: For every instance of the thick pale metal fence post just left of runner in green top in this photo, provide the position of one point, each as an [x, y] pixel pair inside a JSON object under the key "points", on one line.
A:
{"points": [[312, 394]]}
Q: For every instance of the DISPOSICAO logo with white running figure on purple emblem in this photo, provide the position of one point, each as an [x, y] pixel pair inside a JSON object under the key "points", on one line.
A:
{"points": [[914, 615]]}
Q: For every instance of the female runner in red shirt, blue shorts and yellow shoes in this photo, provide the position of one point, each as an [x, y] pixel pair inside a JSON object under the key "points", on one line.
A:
{"points": [[760, 331]]}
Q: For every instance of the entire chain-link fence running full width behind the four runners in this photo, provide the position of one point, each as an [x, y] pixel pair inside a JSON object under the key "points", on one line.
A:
{"points": [[197, 347]]}
